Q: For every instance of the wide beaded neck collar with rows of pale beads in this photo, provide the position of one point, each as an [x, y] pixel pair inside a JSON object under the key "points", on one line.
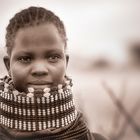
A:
{"points": [[36, 110]]}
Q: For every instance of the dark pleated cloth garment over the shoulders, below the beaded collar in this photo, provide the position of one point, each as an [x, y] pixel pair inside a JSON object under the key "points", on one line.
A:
{"points": [[76, 131]]}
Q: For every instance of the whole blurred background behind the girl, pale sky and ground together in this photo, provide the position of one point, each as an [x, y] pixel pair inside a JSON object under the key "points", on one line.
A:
{"points": [[104, 49]]}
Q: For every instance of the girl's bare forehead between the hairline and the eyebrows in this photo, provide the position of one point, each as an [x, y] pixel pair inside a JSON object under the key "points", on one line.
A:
{"points": [[39, 35]]}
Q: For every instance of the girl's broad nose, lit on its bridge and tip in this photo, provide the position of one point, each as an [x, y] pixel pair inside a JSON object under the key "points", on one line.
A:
{"points": [[39, 69]]}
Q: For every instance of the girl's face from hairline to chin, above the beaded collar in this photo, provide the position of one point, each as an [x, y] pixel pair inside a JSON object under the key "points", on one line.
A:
{"points": [[38, 58]]}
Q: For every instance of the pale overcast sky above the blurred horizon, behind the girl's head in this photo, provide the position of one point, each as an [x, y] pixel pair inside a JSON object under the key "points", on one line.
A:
{"points": [[94, 27]]}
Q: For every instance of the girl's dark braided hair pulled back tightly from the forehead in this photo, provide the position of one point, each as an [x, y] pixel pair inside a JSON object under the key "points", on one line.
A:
{"points": [[30, 17]]}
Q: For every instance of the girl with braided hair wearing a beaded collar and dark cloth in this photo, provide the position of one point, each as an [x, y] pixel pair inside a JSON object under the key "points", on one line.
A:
{"points": [[36, 101]]}
